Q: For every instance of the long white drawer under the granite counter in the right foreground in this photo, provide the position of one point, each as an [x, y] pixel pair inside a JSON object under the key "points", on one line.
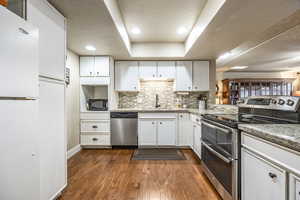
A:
{"points": [[287, 158]]}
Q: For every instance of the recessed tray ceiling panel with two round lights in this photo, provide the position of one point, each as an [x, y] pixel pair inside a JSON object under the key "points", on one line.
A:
{"points": [[159, 19]]}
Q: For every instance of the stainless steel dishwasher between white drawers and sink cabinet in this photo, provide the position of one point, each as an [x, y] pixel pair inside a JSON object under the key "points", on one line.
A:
{"points": [[124, 129]]}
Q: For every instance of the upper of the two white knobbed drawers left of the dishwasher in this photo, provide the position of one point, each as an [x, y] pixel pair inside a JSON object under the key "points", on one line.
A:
{"points": [[95, 126]]}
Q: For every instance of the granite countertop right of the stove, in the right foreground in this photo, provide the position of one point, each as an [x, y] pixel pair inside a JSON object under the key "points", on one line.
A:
{"points": [[287, 135]]}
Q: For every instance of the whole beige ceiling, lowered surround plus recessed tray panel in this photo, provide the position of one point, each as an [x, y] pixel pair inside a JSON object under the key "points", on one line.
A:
{"points": [[263, 34]]}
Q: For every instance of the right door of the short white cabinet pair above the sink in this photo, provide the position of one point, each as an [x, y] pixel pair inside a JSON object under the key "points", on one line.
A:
{"points": [[166, 69]]}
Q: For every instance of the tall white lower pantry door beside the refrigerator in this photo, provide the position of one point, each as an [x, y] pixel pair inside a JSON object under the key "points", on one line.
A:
{"points": [[53, 140]]}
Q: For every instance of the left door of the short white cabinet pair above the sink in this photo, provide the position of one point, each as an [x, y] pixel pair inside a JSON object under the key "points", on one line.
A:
{"points": [[148, 69]]}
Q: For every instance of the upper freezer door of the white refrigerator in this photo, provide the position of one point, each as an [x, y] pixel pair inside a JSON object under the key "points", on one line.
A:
{"points": [[18, 57]]}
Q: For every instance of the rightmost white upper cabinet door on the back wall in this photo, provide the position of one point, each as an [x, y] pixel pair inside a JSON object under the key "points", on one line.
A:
{"points": [[200, 76]]}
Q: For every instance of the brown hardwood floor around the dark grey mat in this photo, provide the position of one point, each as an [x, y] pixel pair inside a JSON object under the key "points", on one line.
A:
{"points": [[112, 175]]}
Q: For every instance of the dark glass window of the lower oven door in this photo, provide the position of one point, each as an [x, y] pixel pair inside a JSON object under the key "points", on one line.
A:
{"points": [[219, 168]]}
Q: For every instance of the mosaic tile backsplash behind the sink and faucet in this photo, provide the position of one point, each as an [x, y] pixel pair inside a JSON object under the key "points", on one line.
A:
{"points": [[167, 97]]}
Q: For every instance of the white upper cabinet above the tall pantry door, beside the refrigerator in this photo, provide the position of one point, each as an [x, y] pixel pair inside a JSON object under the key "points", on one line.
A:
{"points": [[52, 38]]}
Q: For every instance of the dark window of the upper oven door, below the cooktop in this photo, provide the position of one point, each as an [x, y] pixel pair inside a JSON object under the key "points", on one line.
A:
{"points": [[220, 138]]}
